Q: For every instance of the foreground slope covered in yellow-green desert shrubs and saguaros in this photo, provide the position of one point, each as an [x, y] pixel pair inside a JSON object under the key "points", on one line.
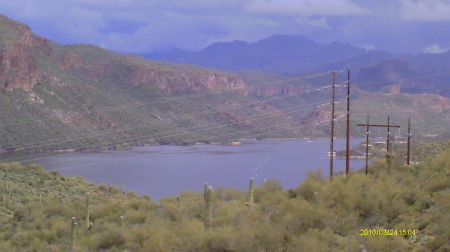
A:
{"points": [[411, 204]]}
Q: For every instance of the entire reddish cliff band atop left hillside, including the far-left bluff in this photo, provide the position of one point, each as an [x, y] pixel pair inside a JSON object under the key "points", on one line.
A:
{"points": [[19, 68]]}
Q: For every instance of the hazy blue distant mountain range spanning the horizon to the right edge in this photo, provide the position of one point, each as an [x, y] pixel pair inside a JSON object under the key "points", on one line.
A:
{"points": [[292, 56]]}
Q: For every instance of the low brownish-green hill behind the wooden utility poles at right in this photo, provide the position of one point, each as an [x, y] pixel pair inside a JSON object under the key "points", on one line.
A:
{"points": [[430, 114]]}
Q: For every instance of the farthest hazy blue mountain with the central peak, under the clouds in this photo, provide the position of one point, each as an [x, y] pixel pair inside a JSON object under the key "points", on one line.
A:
{"points": [[280, 54]]}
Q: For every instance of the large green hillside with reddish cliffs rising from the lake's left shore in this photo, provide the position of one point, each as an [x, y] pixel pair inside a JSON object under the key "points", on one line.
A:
{"points": [[82, 97]]}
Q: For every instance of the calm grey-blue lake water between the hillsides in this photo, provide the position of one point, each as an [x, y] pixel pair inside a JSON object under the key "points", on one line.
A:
{"points": [[163, 171]]}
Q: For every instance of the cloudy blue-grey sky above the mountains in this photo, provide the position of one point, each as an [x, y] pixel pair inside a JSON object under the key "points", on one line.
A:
{"points": [[146, 26]]}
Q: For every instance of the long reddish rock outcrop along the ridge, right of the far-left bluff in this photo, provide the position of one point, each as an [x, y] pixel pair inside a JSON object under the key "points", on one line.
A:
{"points": [[134, 71]]}
